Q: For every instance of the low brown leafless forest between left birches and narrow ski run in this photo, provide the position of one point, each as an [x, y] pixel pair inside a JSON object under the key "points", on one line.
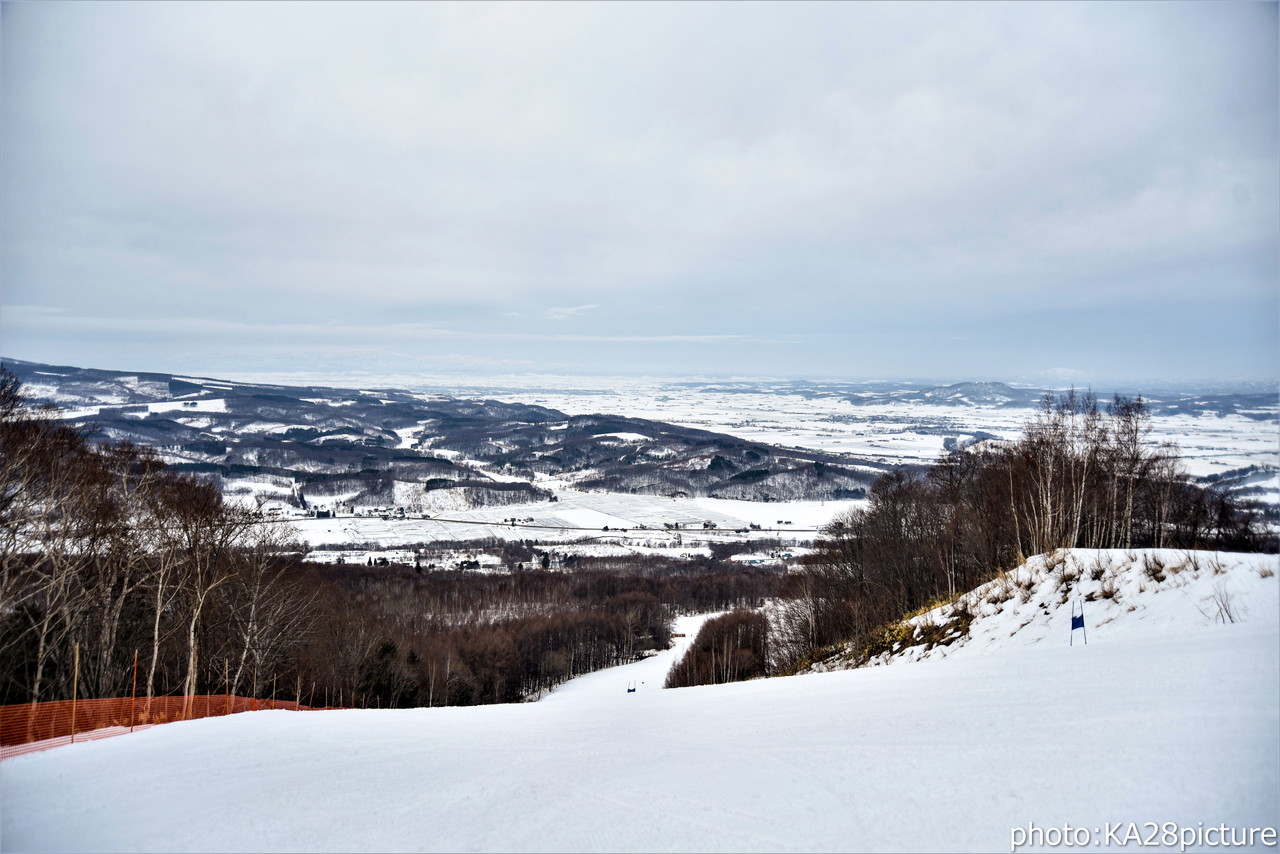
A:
{"points": [[397, 637]]}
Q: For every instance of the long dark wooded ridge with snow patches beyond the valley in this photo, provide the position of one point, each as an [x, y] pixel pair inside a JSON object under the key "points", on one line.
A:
{"points": [[385, 447]]}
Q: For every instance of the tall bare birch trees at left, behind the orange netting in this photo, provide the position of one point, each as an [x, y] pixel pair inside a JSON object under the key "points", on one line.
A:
{"points": [[106, 549]]}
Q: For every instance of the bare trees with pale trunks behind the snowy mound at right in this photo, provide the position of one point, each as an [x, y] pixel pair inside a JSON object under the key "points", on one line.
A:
{"points": [[1080, 477]]}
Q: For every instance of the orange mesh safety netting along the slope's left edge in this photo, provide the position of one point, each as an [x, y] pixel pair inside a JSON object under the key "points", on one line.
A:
{"points": [[60, 719]]}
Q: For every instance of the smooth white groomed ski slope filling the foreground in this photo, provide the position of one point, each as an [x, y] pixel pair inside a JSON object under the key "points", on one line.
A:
{"points": [[1168, 715]]}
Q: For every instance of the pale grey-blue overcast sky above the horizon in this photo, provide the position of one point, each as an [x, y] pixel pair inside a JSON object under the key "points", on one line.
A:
{"points": [[1081, 191]]}
